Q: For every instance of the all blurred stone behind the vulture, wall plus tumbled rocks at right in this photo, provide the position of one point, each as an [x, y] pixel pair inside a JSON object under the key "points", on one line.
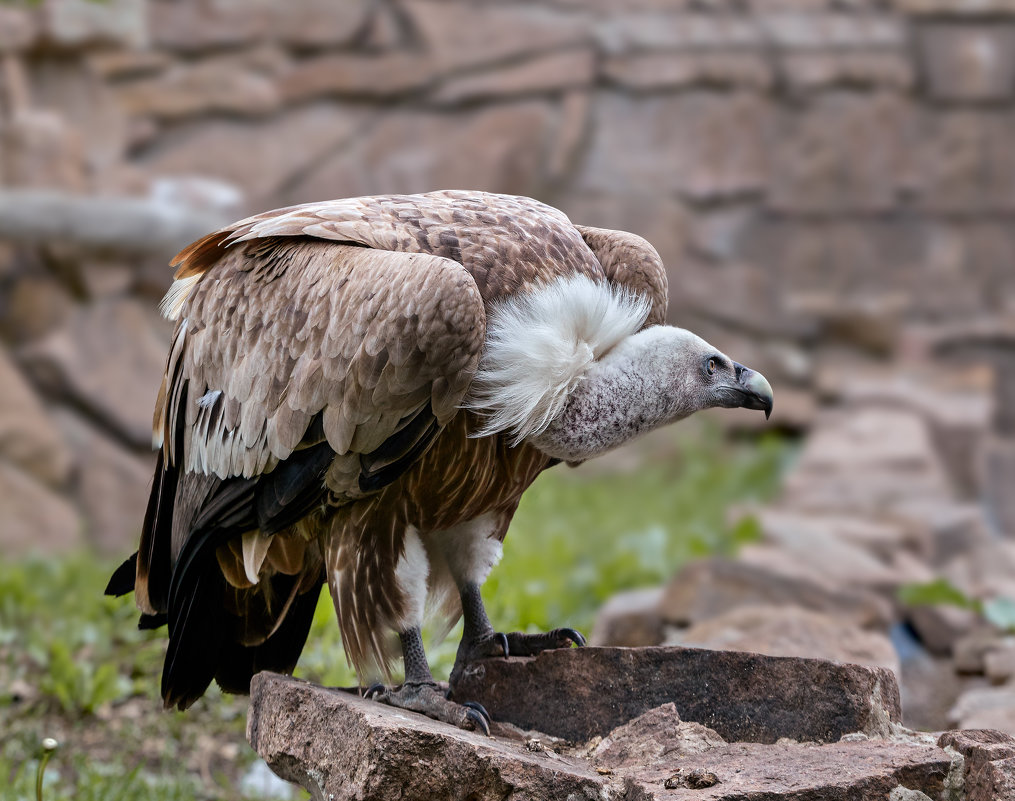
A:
{"points": [[831, 184]]}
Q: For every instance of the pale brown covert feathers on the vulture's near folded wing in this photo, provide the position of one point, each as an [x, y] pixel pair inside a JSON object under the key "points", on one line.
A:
{"points": [[293, 328]]}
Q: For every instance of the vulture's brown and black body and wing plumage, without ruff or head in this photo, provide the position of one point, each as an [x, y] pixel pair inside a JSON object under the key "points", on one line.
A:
{"points": [[311, 412]]}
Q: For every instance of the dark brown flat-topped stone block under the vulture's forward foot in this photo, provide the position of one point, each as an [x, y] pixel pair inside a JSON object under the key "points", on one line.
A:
{"points": [[582, 693]]}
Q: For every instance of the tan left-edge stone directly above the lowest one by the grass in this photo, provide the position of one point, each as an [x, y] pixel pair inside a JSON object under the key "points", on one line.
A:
{"points": [[29, 438]]}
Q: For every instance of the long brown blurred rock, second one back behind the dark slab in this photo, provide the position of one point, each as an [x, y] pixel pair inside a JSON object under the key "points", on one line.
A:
{"points": [[709, 588]]}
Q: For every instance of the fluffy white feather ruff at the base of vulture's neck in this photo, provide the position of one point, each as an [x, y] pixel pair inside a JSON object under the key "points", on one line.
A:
{"points": [[539, 346]]}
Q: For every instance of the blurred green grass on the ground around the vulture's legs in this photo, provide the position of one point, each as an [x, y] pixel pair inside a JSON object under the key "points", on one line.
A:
{"points": [[75, 666]]}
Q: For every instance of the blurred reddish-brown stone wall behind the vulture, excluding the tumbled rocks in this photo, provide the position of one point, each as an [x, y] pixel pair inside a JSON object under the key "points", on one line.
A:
{"points": [[826, 179]]}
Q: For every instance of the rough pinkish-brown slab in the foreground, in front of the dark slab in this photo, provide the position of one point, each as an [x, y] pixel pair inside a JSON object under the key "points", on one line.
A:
{"points": [[341, 747]]}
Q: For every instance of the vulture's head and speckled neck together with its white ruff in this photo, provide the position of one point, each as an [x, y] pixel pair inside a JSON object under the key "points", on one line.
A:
{"points": [[570, 369]]}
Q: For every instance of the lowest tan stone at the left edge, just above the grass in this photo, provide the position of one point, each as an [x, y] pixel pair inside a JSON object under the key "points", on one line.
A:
{"points": [[36, 519]]}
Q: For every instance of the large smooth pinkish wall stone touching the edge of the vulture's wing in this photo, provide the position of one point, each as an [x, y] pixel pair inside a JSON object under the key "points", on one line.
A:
{"points": [[110, 360]]}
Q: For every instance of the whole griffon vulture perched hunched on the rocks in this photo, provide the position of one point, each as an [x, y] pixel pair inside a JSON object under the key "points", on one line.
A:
{"points": [[359, 392]]}
